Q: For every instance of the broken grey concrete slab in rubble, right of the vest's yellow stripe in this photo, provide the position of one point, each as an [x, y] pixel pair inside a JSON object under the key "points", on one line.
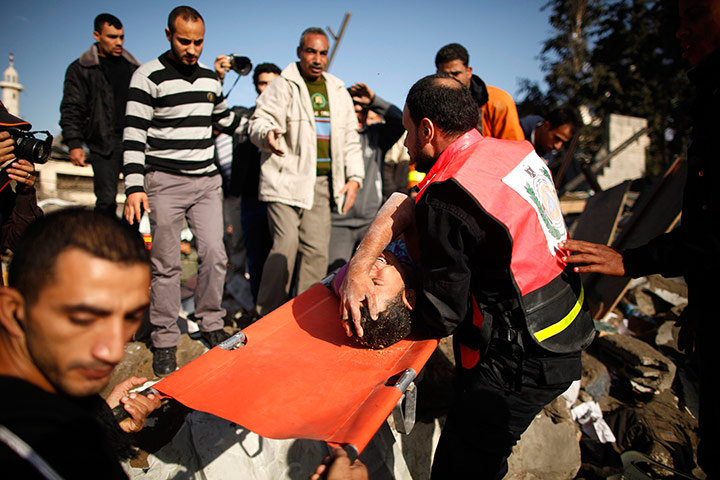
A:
{"points": [[648, 370]]}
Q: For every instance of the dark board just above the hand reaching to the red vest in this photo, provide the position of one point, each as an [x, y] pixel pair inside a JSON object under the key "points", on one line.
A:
{"points": [[599, 219]]}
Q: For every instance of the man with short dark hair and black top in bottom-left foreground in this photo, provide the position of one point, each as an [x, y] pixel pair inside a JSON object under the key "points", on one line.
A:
{"points": [[78, 288]]}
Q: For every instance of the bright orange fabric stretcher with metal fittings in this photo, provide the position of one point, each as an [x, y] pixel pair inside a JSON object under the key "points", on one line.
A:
{"points": [[295, 374]]}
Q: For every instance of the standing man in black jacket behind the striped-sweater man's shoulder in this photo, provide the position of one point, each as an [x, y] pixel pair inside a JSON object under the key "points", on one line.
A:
{"points": [[93, 107]]}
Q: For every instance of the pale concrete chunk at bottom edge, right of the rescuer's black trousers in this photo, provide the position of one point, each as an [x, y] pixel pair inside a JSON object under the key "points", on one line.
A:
{"points": [[546, 451]]}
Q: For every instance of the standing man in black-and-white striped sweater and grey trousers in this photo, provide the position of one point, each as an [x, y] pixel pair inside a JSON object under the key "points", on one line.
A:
{"points": [[173, 103]]}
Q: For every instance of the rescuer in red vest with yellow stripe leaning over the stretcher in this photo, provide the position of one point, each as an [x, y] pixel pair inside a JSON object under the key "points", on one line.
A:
{"points": [[488, 224]]}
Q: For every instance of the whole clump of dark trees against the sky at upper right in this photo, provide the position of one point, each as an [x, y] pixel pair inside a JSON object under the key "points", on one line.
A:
{"points": [[617, 56]]}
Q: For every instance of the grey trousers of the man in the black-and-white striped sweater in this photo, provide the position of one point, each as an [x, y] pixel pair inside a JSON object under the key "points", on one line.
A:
{"points": [[174, 198]]}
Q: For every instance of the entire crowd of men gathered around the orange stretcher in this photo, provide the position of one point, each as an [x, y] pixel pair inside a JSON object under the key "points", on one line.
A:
{"points": [[485, 257]]}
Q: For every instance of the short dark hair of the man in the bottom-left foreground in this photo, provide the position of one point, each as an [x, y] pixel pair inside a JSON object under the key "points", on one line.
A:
{"points": [[34, 261]]}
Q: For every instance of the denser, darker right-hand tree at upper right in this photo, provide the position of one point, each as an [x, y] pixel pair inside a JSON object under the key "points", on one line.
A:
{"points": [[638, 70]]}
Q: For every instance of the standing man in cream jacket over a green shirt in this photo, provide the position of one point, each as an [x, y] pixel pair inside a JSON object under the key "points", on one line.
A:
{"points": [[312, 162]]}
